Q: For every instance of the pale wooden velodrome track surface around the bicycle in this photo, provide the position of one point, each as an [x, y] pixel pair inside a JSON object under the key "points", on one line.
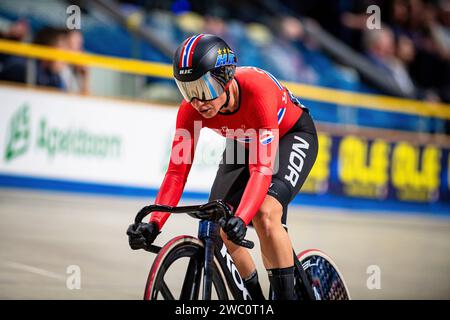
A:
{"points": [[42, 233]]}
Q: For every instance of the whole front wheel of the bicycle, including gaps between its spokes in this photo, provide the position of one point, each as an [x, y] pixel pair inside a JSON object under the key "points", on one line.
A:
{"points": [[177, 270]]}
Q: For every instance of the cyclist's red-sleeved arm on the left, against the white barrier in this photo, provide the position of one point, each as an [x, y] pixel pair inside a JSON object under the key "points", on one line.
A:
{"points": [[182, 155]]}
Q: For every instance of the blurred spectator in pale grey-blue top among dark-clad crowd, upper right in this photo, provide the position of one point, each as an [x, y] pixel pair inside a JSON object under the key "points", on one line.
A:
{"points": [[380, 49]]}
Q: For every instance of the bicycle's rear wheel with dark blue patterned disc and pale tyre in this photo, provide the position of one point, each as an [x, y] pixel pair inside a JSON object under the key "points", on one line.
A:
{"points": [[326, 280]]}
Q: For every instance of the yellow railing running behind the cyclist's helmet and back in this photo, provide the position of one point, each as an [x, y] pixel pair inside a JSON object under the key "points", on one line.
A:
{"points": [[346, 98]]}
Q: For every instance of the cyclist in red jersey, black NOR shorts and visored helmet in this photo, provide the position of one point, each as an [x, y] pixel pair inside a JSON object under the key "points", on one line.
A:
{"points": [[271, 147]]}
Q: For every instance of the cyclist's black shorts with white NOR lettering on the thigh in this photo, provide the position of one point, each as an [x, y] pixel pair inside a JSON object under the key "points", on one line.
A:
{"points": [[297, 153]]}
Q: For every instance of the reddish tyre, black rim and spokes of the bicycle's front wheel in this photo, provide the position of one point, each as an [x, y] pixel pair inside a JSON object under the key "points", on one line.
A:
{"points": [[178, 248]]}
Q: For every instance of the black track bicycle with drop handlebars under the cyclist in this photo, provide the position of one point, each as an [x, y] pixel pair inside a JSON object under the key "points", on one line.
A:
{"points": [[209, 268]]}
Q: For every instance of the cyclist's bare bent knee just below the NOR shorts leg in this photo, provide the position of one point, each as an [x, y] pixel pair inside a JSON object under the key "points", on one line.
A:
{"points": [[268, 218]]}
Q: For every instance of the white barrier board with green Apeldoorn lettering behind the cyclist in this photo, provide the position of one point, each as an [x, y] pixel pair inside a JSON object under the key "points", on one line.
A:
{"points": [[71, 138]]}
